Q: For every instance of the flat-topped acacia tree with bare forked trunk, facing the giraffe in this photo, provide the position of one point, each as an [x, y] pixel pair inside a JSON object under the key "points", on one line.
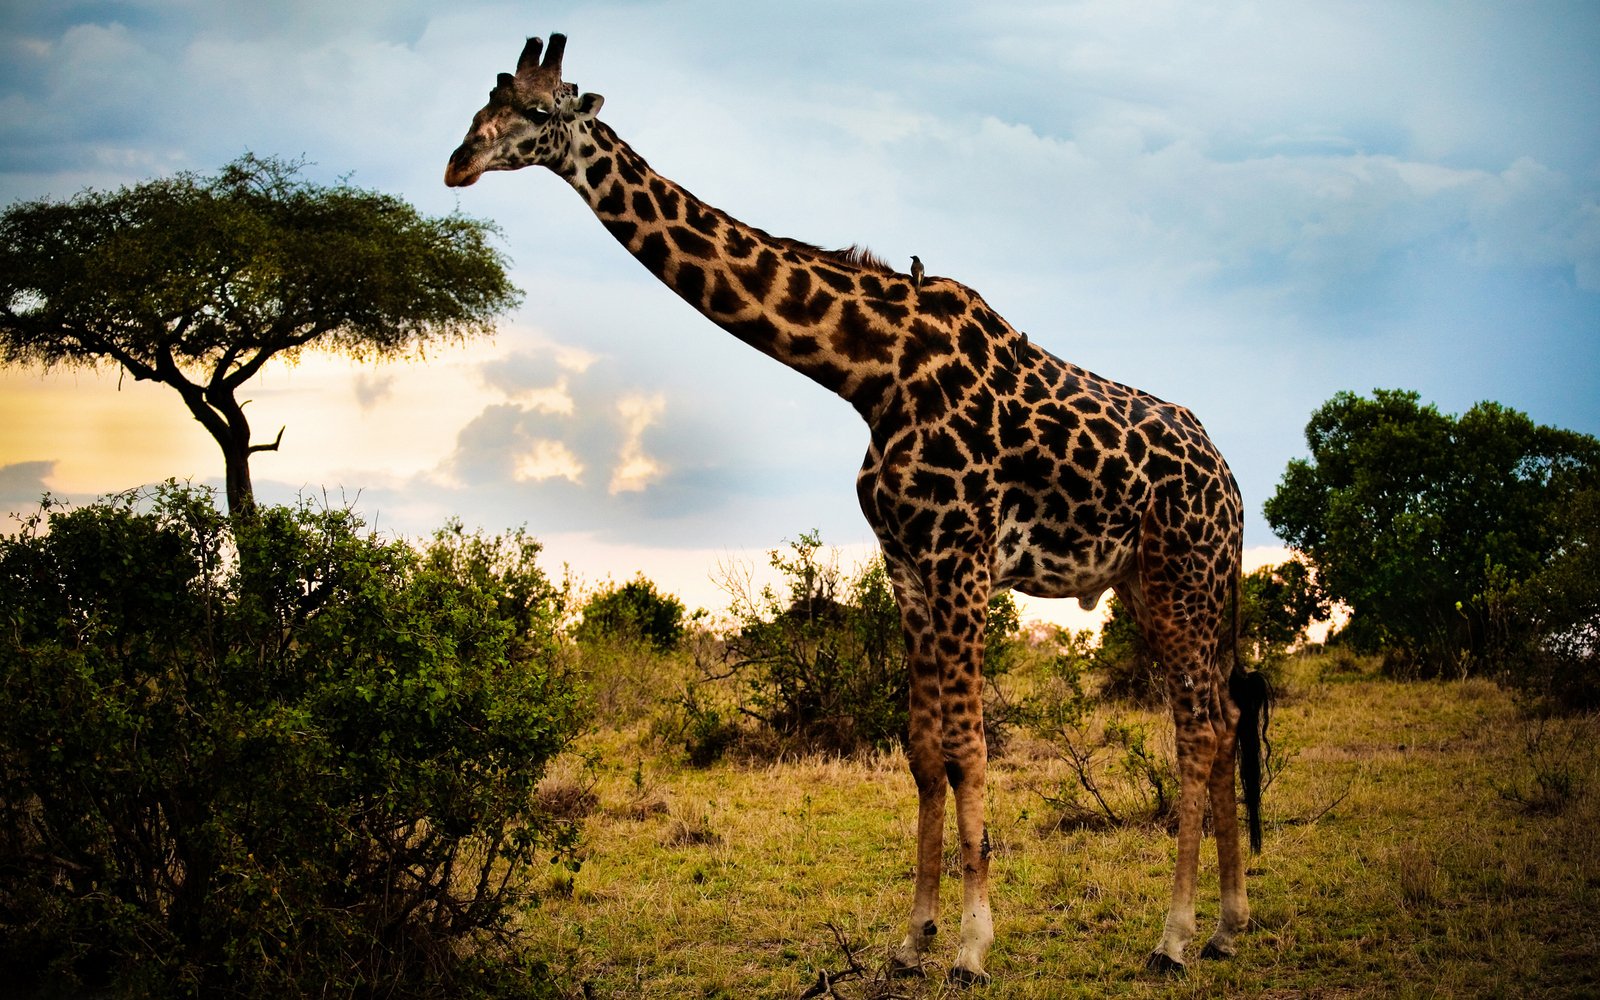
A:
{"points": [[199, 281]]}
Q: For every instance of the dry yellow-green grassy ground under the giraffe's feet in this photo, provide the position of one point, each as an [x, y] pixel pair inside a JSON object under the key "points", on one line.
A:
{"points": [[1422, 841]]}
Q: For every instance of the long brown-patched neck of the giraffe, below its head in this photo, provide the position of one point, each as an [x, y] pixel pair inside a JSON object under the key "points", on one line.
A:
{"points": [[833, 316]]}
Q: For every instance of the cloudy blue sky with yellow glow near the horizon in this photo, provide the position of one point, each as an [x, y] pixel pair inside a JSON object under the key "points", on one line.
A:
{"points": [[1241, 207]]}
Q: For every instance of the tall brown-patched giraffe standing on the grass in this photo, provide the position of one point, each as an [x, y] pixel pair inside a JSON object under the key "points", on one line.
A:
{"points": [[990, 465]]}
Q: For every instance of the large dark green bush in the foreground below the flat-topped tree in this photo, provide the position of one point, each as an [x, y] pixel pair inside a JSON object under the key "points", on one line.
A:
{"points": [[278, 758]]}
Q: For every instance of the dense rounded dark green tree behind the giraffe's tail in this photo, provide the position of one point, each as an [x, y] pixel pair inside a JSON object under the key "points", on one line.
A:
{"points": [[1417, 519]]}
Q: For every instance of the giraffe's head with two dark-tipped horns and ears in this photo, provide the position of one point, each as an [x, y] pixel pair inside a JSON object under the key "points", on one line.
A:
{"points": [[530, 119]]}
